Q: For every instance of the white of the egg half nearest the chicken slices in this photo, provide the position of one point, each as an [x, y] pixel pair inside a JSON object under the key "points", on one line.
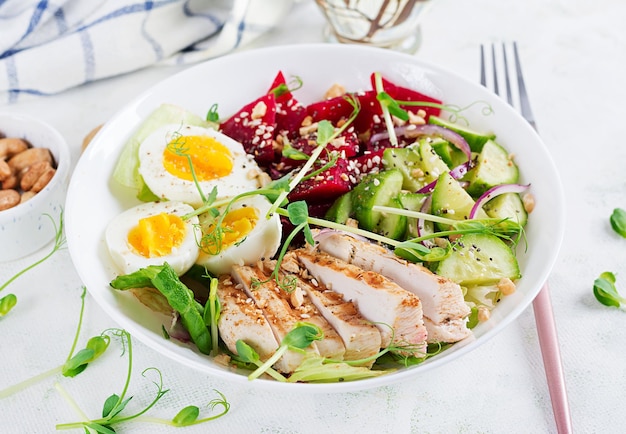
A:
{"points": [[261, 242]]}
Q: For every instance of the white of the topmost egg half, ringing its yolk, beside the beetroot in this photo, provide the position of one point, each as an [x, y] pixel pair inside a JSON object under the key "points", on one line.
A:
{"points": [[163, 184]]}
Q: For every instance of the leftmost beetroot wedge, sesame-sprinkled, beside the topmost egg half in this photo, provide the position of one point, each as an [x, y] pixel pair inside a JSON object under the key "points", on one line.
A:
{"points": [[254, 126]]}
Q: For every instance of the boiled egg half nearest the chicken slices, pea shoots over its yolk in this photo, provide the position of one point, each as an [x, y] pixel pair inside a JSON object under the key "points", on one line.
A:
{"points": [[243, 237]]}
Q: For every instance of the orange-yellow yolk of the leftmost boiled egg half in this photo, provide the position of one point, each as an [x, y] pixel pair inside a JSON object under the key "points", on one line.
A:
{"points": [[157, 235]]}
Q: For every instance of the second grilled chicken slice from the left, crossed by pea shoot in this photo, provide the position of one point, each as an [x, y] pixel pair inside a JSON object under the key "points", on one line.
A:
{"points": [[278, 313]]}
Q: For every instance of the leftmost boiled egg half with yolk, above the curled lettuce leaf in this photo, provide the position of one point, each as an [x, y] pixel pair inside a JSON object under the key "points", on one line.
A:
{"points": [[153, 233]]}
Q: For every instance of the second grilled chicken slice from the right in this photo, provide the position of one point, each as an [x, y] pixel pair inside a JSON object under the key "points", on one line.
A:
{"points": [[396, 312]]}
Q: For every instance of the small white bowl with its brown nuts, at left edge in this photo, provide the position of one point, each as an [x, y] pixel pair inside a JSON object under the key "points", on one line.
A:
{"points": [[34, 172]]}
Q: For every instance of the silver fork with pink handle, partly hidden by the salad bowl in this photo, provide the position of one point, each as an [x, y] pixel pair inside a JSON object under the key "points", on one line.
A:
{"points": [[542, 305]]}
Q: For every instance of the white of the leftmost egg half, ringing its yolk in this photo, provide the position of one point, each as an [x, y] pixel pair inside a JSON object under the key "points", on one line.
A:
{"points": [[128, 260]]}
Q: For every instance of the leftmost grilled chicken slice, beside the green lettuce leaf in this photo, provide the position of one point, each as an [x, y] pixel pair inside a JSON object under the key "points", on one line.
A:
{"points": [[240, 318]]}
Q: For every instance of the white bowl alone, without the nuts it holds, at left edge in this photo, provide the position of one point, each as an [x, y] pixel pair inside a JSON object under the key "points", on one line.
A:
{"points": [[27, 227]]}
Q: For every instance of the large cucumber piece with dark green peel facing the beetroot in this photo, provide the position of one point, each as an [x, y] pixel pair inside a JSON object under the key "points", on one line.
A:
{"points": [[375, 189]]}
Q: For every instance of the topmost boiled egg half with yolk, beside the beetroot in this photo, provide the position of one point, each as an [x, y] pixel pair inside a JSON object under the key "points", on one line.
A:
{"points": [[173, 155]]}
